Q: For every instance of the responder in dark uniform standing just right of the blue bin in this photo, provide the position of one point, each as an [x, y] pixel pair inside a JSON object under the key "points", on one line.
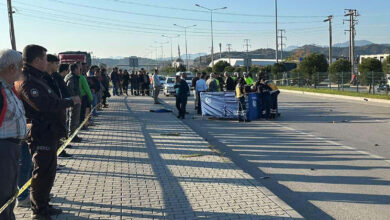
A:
{"points": [[264, 91]]}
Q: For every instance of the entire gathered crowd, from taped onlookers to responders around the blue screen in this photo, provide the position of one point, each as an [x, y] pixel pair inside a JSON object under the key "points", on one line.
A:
{"points": [[44, 102]]}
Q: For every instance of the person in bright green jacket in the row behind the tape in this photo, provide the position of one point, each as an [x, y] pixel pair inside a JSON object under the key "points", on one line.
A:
{"points": [[86, 98]]}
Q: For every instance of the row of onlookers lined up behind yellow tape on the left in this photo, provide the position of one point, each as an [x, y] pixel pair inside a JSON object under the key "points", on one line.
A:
{"points": [[42, 104]]}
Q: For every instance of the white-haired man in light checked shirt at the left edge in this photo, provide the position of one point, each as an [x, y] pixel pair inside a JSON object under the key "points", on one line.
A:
{"points": [[12, 127]]}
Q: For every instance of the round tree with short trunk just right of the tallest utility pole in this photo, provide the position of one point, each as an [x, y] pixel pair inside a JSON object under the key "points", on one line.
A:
{"points": [[371, 72]]}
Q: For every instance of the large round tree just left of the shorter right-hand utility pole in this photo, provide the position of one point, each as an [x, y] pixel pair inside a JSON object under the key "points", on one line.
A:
{"points": [[311, 66]]}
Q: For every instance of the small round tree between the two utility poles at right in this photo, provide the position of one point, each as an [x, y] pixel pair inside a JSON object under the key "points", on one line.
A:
{"points": [[339, 71]]}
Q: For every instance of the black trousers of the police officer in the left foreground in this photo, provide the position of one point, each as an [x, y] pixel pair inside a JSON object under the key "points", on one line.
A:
{"points": [[44, 159]]}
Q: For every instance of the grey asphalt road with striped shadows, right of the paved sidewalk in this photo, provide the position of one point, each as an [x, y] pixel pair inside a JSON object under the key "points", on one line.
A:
{"points": [[327, 158]]}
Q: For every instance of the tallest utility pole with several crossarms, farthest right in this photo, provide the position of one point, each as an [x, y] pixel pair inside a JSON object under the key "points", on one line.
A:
{"points": [[352, 13]]}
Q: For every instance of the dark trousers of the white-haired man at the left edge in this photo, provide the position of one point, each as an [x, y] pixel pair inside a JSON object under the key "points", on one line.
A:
{"points": [[9, 166]]}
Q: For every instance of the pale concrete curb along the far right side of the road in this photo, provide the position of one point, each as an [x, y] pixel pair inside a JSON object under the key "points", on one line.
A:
{"points": [[358, 99]]}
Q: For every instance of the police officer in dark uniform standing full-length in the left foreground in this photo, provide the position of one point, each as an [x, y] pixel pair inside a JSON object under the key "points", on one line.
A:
{"points": [[43, 107]]}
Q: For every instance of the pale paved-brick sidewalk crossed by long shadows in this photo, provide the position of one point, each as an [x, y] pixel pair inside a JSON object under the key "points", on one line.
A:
{"points": [[135, 164]]}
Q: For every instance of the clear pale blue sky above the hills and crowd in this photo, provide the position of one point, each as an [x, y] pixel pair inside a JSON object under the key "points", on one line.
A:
{"points": [[122, 28]]}
